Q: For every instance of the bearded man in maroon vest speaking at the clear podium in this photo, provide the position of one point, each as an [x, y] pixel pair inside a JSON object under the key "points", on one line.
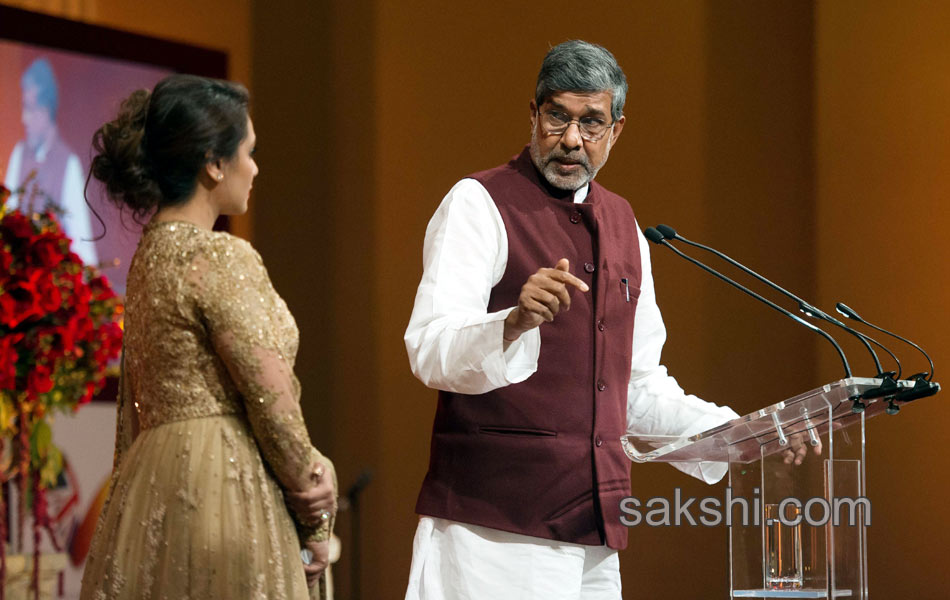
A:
{"points": [[537, 321]]}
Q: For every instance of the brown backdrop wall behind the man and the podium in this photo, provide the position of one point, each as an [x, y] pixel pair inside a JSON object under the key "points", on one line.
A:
{"points": [[730, 138]]}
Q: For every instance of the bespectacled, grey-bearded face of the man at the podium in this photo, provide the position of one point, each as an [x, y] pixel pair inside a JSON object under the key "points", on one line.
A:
{"points": [[567, 161]]}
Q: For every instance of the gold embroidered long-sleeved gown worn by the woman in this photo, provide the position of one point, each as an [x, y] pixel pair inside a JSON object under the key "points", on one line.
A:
{"points": [[209, 429]]}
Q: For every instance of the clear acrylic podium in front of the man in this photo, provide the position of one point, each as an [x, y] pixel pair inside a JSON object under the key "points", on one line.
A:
{"points": [[817, 546]]}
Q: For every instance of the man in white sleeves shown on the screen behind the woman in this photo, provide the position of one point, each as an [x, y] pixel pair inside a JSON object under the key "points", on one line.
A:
{"points": [[58, 171]]}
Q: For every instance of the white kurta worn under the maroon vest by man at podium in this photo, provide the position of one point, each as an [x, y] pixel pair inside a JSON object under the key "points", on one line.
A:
{"points": [[455, 344]]}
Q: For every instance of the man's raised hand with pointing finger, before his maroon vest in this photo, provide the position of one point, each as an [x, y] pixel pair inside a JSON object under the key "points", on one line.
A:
{"points": [[542, 297]]}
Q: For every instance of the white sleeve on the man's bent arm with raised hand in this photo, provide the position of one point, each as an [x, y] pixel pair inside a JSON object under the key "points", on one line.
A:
{"points": [[454, 343]]}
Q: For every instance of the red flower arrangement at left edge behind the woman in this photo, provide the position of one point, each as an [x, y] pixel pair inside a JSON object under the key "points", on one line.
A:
{"points": [[59, 330]]}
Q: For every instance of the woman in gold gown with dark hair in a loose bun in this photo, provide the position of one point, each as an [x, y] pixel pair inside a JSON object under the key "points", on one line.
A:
{"points": [[209, 431]]}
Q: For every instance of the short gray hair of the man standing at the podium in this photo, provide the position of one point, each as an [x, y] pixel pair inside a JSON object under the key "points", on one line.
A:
{"points": [[579, 66]]}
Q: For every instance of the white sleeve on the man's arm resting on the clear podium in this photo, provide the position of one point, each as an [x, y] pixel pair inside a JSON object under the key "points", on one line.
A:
{"points": [[655, 402]]}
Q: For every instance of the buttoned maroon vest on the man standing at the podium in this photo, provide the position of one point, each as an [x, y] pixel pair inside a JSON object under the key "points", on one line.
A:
{"points": [[543, 457]]}
